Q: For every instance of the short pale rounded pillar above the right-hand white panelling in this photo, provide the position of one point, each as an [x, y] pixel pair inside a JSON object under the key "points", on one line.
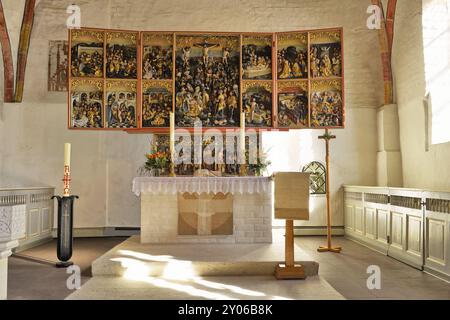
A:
{"points": [[389, 159]]}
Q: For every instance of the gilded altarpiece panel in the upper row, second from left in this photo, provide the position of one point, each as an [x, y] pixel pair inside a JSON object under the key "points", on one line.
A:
{"points": [[121, 55]]}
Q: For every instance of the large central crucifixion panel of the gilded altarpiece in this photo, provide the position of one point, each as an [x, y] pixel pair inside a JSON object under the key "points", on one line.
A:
{"points": [[207, 80]]}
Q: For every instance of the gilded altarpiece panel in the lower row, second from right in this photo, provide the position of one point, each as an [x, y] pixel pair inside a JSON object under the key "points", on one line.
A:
{"points": [[292, 112]]}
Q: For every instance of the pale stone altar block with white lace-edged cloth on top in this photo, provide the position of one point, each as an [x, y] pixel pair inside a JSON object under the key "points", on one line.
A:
{"points": [[205, 209]]}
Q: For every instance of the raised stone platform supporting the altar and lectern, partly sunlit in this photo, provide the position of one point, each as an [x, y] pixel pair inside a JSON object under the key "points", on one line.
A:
{"points": [[131, 258]]}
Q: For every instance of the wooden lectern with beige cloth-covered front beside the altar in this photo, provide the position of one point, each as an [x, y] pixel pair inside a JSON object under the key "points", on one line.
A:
{"points": [[291, 203]]}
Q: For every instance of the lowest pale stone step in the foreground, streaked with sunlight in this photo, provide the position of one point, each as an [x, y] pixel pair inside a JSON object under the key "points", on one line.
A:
{"points": [[202, 288]]}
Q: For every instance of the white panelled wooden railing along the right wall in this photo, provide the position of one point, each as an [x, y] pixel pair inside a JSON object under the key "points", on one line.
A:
{"points": [[410, 225]]}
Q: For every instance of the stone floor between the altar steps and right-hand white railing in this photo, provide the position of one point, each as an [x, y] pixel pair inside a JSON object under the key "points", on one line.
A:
{"points": [[347, 273]]}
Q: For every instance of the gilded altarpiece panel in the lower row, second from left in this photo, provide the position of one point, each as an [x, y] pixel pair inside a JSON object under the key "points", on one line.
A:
{"points": [[121, 101]]}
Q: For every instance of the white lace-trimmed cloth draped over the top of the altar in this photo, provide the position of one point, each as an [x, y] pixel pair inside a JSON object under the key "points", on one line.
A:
{"points": [[173, 185]]}
